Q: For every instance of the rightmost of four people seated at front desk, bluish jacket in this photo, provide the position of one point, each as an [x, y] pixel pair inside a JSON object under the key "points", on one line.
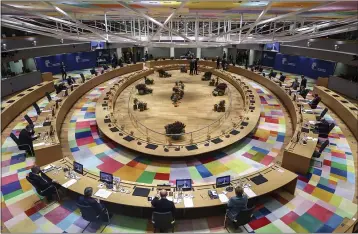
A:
{"points": [[237, 203]]}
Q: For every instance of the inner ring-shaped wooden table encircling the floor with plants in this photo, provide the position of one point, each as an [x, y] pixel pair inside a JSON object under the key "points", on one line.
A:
{"points": [[114, 129]]}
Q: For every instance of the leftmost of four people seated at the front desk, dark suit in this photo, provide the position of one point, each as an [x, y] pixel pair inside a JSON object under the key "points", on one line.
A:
{"points": [[42, 181]]}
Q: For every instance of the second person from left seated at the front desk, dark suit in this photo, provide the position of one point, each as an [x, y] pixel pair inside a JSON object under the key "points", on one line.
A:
{"points": [[88, 200]]}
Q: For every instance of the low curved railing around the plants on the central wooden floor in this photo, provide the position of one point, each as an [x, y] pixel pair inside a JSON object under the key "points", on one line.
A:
{"points": [[201, 134]]}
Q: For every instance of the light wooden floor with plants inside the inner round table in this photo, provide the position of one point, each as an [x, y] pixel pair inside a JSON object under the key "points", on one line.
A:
{"points": [[195, 110]]}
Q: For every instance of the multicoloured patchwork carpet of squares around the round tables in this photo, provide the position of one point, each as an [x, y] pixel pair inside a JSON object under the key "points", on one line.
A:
{"points": [[323, 196]]}
